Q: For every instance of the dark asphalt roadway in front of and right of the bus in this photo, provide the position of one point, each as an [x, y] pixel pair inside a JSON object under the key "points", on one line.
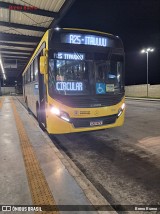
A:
{"points": [[124, 162]]}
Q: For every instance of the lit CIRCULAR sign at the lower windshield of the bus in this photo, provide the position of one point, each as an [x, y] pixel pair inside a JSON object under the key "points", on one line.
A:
{"points": [[69, 86]]}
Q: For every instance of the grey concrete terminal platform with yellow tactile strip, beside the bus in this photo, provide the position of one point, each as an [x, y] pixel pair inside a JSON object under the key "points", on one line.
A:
{"points": [[32, 168]]}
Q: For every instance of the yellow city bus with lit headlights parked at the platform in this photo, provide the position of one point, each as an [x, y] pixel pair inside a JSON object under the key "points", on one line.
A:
{"points": [[74, 81]]}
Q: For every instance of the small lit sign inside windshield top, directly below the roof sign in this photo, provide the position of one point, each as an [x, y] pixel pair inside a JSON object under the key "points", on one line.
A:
{"points": [[69, 56]]}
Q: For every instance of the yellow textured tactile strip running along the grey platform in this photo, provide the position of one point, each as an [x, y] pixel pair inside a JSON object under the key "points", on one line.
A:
{"points": [[40, 192]]}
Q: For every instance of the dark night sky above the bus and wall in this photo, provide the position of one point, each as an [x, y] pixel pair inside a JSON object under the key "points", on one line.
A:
{"points": [[137, 22]]}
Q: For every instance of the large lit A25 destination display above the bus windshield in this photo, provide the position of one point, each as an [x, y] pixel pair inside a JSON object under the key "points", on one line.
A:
{"points": [[81, 39]]}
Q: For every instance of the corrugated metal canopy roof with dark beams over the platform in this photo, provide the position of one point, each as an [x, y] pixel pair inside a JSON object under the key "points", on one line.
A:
{"points": [[22, 24]]}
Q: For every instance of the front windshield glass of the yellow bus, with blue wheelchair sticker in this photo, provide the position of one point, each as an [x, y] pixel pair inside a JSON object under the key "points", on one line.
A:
{"points": [[72, 74]]}
